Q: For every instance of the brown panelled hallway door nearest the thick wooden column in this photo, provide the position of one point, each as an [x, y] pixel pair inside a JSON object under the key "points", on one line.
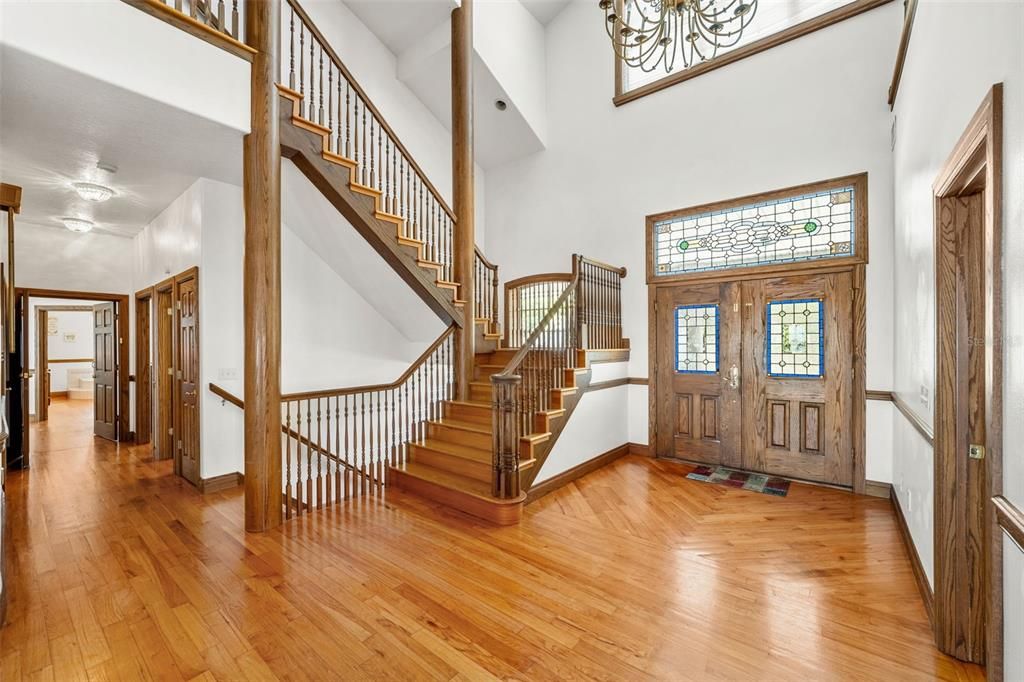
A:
{"points": [[187, 381]]}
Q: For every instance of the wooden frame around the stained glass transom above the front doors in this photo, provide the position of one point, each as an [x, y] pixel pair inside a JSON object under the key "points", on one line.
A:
{"points": [[860, 184]]}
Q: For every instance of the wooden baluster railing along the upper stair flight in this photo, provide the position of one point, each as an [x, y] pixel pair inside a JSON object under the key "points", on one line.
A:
{"points": [[333, 99]]}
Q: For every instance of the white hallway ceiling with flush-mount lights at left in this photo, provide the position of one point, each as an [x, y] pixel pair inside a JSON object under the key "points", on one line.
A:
{"points": [[56, 124]]}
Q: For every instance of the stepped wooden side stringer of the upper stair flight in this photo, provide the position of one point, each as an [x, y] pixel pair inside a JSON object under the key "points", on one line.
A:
{"points": [[304, 143]]}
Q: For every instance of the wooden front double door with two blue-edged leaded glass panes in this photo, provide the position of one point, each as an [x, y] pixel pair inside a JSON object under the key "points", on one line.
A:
{"points": [[758, 375]]}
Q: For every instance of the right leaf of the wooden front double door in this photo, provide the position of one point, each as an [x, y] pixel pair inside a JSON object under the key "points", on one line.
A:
{"points": [[798, 377]]}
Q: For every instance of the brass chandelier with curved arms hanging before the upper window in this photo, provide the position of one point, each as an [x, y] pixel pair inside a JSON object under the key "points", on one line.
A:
{"points": [[648, 33]]}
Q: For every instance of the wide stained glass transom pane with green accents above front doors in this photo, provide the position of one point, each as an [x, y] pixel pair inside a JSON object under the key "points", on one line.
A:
{"points": [[804, 228]]}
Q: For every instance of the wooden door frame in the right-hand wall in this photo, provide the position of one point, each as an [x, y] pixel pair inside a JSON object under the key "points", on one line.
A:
{"points": [[974, 165]]}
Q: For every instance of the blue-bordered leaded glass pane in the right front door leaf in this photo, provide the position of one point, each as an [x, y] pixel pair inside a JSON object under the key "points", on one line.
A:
{"points": [[796, 345]]}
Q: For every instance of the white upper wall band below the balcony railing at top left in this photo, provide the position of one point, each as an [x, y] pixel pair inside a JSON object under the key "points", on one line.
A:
{"points": [[165, 64]]}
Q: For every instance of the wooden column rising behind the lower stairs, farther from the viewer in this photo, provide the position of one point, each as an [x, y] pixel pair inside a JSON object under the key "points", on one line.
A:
{"points": [[462, 169]]}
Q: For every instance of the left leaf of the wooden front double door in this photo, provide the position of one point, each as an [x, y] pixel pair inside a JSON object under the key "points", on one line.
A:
{"points": [[698, 373]]}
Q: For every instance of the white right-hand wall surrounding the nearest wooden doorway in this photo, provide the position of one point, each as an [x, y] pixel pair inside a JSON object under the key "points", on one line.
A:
{"points": [[942, 90]]}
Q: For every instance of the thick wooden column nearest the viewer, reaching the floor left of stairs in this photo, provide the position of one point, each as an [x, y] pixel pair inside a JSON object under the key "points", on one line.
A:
{"points": [[262, 278]]}
